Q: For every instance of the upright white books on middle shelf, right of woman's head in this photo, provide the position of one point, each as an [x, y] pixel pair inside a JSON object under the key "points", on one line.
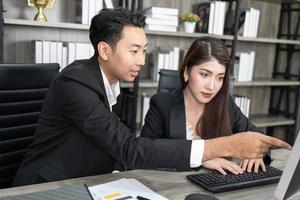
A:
{"points": [[244, 66]]}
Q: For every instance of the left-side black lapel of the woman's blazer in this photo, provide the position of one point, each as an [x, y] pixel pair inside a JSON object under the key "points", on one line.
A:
{"points": [[177, 115]]}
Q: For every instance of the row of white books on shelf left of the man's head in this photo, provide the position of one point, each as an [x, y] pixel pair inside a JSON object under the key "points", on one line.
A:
{"points": [[62, 53]]}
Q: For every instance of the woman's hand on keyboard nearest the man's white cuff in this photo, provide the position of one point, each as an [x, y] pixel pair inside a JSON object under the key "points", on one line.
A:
{"points": [[221, 164]]}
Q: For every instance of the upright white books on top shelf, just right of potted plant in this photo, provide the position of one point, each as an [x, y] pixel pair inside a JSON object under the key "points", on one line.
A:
{"points": [[216, 17]]}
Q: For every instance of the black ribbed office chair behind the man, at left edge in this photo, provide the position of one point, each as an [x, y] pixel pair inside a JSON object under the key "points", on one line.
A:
{"points": [[22, 90]]}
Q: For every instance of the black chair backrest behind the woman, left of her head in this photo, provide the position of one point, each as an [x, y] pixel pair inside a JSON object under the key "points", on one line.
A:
{"points": [[168, 80]]}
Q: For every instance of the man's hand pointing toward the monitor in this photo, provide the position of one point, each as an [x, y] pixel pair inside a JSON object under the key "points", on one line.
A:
{"points": [[244, 145]]}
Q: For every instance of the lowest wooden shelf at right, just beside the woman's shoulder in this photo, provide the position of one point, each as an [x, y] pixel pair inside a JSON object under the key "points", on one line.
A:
{"points": [[265, 120]]}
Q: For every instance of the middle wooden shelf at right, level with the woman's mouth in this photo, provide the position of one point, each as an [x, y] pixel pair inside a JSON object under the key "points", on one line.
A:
{"points": [[265, 82]]}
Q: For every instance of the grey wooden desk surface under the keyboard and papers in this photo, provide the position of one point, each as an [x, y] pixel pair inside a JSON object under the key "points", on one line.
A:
{"points": [[172, 185]]}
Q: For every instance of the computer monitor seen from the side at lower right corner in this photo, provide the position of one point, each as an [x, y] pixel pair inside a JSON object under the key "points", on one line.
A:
{"points": [[289, 184]]}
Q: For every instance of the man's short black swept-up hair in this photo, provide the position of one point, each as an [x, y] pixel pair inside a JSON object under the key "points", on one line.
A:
{"points": [[108, 25]]}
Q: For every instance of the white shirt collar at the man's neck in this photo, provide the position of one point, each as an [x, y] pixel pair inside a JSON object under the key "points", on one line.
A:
{"points": [[112, 91]]}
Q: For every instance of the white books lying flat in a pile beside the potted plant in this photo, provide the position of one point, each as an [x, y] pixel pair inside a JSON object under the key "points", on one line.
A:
{"points": [[161, 19]]}
